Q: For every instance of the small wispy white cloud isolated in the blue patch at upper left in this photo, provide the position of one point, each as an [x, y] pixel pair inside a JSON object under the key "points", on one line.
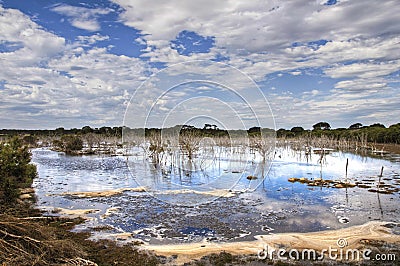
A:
{"points": [[82, 17]]}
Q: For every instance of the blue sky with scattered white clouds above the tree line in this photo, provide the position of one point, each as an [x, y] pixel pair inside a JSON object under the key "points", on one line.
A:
{"points": [[76, 63]]}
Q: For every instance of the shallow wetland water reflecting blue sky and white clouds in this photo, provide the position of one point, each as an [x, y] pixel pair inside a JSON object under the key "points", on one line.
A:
{"points": [[276, 205]]}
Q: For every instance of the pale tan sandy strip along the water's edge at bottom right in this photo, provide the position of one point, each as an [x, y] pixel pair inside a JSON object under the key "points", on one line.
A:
{"points": [[318, 241]]}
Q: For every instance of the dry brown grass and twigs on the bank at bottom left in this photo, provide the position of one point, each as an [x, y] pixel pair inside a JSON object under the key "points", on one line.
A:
{"points": [[41, 241]]}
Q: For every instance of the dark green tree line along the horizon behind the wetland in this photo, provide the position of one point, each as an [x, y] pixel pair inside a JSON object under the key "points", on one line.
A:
{"points": [[377, 132]]}
